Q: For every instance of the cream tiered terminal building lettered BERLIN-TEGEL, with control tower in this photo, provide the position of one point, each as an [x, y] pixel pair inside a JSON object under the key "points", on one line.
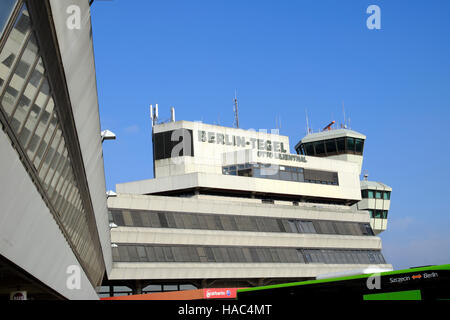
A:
{"points": [[235, 208]]}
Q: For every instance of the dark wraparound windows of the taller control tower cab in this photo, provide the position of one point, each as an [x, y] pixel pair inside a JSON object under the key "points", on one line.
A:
{"points": [[330, 147]]}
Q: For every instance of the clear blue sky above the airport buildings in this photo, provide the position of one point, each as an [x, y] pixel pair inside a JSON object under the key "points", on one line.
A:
{"points": [[283, 57]]}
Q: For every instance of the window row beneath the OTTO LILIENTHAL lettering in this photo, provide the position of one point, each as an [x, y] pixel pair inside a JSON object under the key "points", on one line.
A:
{"points": [[285, 173]]}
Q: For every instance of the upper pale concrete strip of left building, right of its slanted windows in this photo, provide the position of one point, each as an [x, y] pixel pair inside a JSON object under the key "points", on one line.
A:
{"points": [[77, 54]]}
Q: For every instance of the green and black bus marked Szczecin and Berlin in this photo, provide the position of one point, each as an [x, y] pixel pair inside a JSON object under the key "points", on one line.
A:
{"points": [[422, 283]]}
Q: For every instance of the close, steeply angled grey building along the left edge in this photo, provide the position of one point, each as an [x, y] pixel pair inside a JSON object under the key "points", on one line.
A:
{"points": [[53, 215]]}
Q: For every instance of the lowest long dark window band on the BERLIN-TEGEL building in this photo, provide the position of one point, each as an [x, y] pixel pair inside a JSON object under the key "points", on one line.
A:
{"points": [[222, 254]]}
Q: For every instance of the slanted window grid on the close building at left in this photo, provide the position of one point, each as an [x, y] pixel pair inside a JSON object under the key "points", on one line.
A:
{"points": [[28, 107]]}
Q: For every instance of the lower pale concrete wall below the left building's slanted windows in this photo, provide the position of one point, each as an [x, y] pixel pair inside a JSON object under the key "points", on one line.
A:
{"points": [[45, 255]]}
